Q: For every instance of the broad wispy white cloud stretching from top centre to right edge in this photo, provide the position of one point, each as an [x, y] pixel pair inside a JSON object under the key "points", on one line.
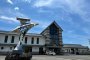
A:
{"points": [[79, 7]]}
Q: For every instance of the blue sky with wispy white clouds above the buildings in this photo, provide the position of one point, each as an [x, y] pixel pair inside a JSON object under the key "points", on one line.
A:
{"points": [[73, 16]]}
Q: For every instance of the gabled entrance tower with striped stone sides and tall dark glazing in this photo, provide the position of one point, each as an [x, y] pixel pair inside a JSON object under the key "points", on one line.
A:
{"points": [[53, 38]]}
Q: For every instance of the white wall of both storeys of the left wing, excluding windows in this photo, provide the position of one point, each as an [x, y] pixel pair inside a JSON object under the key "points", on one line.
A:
{"points": [[7, 47]]}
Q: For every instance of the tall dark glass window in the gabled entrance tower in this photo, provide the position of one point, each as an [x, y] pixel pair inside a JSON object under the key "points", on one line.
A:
{"points": [[54, 34]]}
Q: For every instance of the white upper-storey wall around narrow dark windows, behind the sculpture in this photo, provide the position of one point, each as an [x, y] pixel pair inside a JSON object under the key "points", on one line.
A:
{"points": [[16, 40]]}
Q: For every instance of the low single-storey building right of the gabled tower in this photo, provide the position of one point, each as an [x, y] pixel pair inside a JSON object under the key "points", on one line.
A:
{"points": [[75, 49]]}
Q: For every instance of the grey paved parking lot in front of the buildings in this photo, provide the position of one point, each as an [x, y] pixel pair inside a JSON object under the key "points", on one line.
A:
{"points": [[60, 57]]}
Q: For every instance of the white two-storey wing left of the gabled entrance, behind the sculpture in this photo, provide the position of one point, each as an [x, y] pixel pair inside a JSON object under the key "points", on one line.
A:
{"points": [[8, 41]]}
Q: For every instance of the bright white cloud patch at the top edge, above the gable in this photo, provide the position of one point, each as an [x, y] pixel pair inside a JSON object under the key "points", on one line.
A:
{"points": [[49, 3]]}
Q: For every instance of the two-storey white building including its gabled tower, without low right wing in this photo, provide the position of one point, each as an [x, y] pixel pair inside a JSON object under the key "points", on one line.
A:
{"points": [[49, 39]]}
